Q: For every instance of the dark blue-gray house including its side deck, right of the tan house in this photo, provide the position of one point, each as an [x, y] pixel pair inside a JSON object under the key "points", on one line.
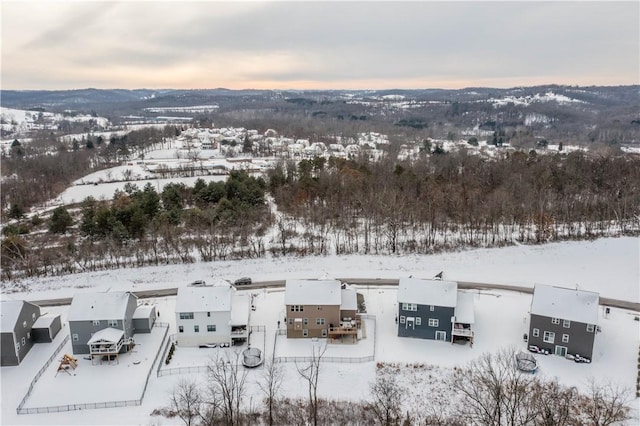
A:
{"points": [[434, 309]]}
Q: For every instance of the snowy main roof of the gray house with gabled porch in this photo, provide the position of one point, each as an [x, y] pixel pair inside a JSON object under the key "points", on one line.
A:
{"points": [[99, 306]]}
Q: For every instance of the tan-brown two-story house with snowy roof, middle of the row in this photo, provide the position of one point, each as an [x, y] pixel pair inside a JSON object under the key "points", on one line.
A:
{"points": [[319, 308]]}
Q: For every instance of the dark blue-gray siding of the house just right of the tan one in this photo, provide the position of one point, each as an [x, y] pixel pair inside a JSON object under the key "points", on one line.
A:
{"points": [[423, 331]]}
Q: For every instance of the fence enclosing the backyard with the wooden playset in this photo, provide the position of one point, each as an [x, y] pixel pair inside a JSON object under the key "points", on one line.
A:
{"points": [[88, 405]]}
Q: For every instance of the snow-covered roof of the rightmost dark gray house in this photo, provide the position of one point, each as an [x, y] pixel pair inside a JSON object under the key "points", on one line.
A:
{"points": [[565, 303]]}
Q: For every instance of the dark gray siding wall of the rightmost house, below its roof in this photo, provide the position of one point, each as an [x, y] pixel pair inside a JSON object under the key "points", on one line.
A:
{"points": [[580, 340]]}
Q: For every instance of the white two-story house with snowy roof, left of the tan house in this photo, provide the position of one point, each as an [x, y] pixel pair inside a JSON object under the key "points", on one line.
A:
{"points": [[211, 315]]}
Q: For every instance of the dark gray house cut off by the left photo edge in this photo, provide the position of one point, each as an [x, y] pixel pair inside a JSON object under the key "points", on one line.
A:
{"points": [[16, 319]]}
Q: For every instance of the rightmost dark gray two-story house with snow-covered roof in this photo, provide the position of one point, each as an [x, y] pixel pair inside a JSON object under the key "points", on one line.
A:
{"points": [[563, 321]]}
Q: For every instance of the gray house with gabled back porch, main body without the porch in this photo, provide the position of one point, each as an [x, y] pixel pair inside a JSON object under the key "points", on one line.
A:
{"points": [[93, 312]]}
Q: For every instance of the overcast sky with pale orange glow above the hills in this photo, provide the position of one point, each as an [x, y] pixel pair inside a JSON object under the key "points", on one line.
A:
{"points": [[315, 45]]}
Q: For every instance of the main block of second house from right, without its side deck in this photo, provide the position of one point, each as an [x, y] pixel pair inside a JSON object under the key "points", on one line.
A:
{"points": [[426, 308]]}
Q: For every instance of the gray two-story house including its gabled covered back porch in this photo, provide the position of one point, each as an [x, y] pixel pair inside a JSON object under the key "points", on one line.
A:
{"points": [[91, 313]]}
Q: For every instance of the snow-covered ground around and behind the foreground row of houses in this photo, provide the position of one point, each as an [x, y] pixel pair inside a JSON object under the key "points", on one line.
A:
{"points": [[609, 266]]}
